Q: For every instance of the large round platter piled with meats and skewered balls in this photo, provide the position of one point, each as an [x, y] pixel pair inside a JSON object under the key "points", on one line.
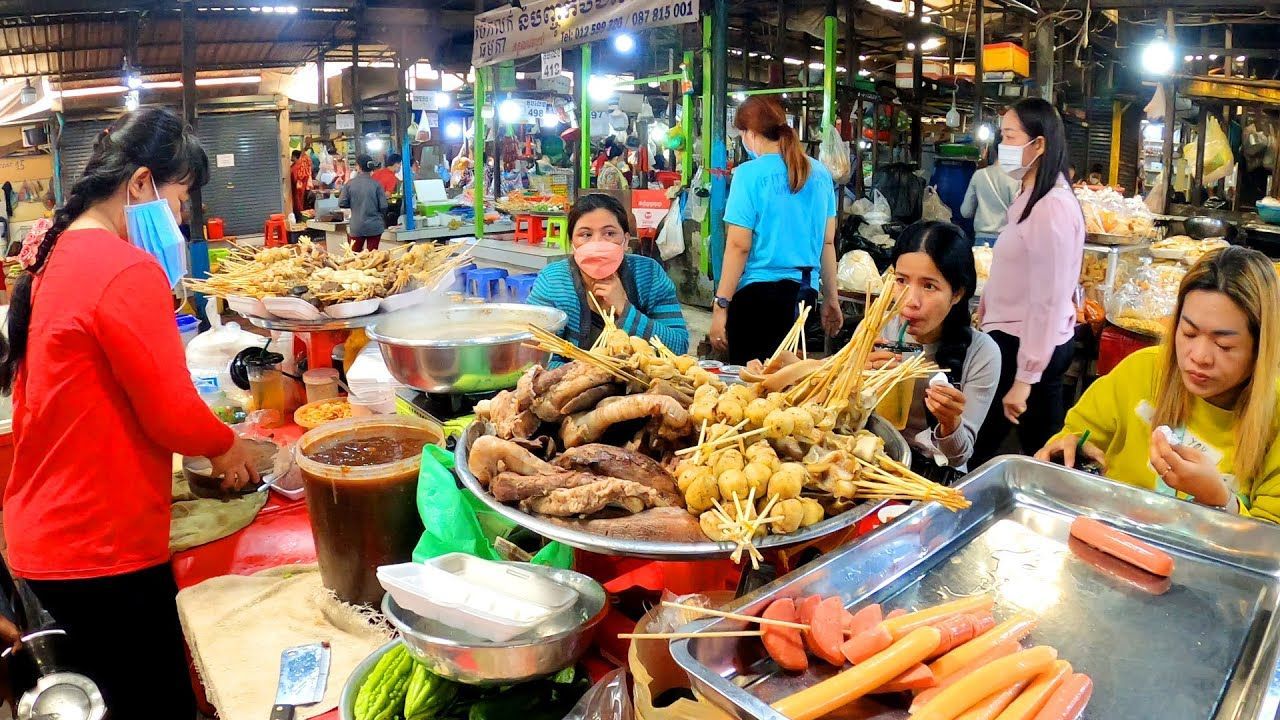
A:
{"points": [[630, 449]]}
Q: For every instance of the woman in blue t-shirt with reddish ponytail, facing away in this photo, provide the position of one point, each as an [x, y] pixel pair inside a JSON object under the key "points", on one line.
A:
{"points": [[780, 239]]}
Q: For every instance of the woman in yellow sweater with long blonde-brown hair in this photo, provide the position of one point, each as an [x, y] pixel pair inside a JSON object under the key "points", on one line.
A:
{"points": [[1196, 417]]}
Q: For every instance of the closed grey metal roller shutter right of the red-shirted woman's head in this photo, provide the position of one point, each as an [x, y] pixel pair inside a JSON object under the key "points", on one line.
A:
{"points": [[248, 193]]}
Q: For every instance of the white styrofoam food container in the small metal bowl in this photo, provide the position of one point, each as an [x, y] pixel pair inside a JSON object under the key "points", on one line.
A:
{"points": [[492, 601]]}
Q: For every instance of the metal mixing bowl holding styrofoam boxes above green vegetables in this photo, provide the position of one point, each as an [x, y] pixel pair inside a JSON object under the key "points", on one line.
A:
{"points": [[482, 663]]}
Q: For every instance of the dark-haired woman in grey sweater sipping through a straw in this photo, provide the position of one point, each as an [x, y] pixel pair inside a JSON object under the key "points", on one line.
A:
{"points": [[935, 263]]}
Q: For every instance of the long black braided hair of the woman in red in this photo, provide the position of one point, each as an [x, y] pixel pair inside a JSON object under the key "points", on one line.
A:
{"points": [[152, 138]]}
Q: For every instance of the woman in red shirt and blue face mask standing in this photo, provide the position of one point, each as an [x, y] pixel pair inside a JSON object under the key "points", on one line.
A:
{"points": [[103, 402]]}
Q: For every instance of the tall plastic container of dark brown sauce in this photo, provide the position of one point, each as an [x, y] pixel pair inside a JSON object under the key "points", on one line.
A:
{"points": [[362, 485]]}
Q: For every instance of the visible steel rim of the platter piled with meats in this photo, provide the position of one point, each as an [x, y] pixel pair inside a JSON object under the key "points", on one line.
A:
{"points": [[659, 550]]}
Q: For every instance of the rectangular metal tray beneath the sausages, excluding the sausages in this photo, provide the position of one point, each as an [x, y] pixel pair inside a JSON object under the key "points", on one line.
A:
{"points": [[1203, 645]]}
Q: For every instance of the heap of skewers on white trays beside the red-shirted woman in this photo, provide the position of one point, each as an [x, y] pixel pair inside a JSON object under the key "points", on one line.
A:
{"points": [[305, 282]]}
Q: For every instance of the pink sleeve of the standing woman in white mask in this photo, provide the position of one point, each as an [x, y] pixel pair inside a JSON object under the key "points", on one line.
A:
{"points": [[1057, 226]]}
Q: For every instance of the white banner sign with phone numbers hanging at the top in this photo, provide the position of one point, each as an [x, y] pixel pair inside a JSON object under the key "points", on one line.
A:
{"points": [[510, 33]]}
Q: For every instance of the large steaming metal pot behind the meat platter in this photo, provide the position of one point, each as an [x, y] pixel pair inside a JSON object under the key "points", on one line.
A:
{"points": [[469, 364]]}
